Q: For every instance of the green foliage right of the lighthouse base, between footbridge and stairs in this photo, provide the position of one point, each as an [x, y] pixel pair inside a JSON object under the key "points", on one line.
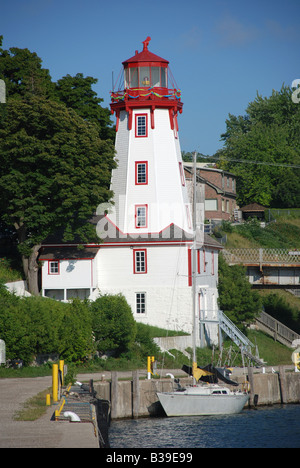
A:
{"points": [[236, 298]]}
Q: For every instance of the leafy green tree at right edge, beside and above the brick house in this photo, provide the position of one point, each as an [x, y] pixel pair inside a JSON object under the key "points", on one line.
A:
{"points": [[266, 141]]}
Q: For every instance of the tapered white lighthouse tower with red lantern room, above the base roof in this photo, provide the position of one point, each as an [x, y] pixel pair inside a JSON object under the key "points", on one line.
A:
{"points": [[149, 183]]}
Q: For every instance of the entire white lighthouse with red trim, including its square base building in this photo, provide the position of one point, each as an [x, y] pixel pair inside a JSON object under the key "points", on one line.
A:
{"points": [[147, 232]]}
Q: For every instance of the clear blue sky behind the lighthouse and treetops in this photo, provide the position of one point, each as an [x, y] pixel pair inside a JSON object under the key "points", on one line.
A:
{"points": [[221, 52]]}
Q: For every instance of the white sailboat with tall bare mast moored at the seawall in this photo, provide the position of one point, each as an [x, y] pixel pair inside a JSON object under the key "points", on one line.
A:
{"points": [[201, 398]]}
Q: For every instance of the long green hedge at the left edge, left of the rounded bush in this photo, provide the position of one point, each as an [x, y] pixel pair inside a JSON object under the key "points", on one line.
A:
{"points": [[35, 325]]}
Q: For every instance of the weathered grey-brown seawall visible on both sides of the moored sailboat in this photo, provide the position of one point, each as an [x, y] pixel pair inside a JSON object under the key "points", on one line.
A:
{"points": [[137, 397]]}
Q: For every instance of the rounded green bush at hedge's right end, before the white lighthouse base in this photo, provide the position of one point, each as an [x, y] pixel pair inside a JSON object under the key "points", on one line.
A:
{"points": [[113, 324]]}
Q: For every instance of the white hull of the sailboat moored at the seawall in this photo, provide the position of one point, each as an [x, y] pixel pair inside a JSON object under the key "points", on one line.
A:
{"points": [[182, 404]]}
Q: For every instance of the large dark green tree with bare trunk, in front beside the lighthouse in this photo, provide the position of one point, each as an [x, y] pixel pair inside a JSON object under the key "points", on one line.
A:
{"points": [[54, 171]]}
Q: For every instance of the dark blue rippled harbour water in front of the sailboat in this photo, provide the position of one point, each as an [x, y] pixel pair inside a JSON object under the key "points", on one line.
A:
{"points": [[264, 427]]}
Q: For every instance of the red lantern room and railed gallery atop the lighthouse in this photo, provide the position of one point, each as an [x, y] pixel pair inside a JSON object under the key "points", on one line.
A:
{"points": [[146, 85]]}
